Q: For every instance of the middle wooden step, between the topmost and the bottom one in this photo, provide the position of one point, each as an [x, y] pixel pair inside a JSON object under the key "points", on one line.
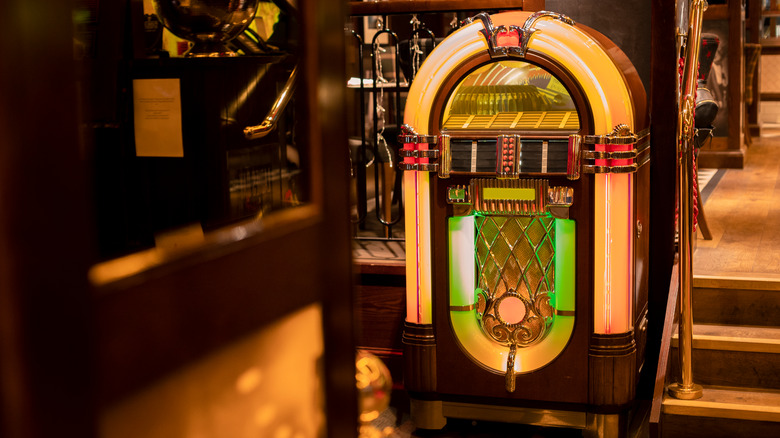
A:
{"points": [[733, 356]]}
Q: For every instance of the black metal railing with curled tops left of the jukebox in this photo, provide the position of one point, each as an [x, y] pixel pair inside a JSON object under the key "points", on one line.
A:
{"points": [[386, 113]]}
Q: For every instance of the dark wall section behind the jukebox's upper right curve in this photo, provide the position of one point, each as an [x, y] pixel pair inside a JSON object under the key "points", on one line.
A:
{"points": [[625, 22]]}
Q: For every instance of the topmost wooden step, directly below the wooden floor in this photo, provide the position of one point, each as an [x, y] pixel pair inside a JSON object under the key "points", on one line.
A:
{"points": [[747, 299]]}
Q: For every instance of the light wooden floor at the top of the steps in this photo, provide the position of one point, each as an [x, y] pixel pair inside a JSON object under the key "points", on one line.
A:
{"points": [[743, 213]]}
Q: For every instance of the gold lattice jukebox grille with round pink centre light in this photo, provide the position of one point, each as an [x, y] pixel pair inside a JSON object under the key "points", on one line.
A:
{"points": [[515, 257]]}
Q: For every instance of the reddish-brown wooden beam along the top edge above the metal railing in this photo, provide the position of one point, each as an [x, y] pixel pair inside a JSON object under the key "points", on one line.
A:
{"points": [[387, 7]]}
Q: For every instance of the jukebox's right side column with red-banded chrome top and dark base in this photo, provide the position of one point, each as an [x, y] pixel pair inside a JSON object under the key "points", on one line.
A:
{"points": [[614, 160]]}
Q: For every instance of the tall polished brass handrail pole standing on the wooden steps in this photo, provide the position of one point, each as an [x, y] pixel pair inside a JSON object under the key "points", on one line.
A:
{"points": [[686, 389]]}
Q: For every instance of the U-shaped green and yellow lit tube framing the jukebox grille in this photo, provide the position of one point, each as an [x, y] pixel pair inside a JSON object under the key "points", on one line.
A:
{"points": [[463, 313]]}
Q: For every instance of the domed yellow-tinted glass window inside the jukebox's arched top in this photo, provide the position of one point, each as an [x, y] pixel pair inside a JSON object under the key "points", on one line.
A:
{"points": [[510, 95]]}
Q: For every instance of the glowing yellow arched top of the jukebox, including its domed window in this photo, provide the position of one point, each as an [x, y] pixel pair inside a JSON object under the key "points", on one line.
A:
{"points": [[538, 63]]}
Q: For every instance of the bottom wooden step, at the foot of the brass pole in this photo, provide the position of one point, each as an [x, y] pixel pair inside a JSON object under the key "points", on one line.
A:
{"points": [[723, 412]]}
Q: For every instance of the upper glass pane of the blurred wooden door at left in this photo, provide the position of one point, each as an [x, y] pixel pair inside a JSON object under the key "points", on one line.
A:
{"points": [[187, 145]]}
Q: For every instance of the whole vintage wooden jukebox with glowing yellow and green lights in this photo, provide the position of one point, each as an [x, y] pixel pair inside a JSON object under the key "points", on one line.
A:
{"points": [[526, 184]]}
